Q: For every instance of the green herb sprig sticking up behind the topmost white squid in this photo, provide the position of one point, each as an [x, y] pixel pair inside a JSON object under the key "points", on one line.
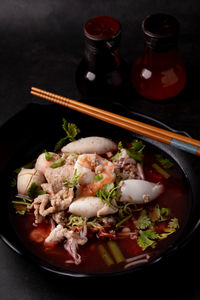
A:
{"points": [[71, 131]]}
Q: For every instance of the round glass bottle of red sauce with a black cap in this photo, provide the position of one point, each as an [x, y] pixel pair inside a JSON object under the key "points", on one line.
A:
{"points": [[159, 72]]}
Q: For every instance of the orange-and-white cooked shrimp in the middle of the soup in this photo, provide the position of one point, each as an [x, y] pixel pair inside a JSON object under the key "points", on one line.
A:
{"points": [[95, 171]]}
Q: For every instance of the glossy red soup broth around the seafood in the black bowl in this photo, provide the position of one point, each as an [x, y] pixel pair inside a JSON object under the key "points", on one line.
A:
{"points": [[175, 197]]}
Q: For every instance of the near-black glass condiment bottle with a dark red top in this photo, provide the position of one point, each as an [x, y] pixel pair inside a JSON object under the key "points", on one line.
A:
{"points": [[101, 71]]}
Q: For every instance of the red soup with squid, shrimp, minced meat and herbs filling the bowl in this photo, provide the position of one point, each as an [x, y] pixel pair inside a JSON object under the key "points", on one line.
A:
{"points": [[97, 206]]}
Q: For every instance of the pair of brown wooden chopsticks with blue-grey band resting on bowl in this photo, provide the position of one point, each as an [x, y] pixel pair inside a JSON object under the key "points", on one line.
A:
{"points": [[167, 137]]}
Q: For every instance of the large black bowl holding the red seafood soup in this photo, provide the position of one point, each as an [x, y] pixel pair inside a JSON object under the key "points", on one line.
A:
{"points": [[38, 127]]}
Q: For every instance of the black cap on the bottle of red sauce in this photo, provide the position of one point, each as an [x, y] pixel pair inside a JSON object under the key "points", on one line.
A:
{"points": [[161, 32]]}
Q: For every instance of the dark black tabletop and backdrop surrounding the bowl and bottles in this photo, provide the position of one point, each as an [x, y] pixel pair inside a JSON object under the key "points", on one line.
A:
{"points": [[41, 45]]}
